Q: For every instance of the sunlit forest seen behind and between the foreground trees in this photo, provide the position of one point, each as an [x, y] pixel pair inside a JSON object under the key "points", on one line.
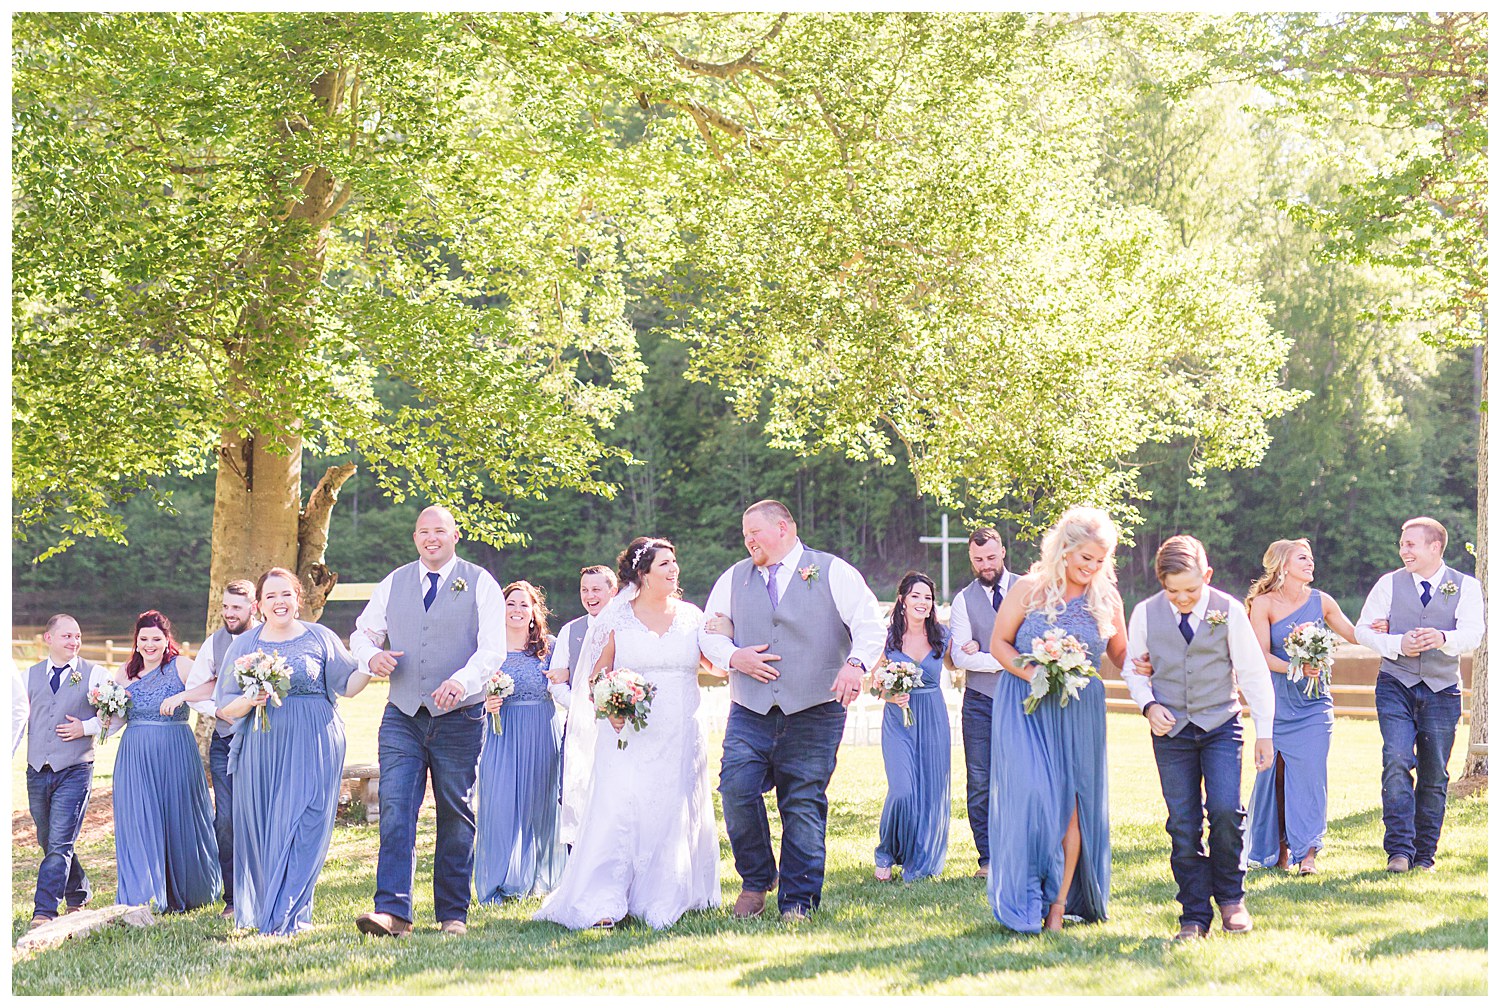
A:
{"points": [[1234, 164]]}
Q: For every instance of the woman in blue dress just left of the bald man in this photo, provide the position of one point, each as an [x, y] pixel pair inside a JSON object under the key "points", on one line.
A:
{"points": [[287, 776]]}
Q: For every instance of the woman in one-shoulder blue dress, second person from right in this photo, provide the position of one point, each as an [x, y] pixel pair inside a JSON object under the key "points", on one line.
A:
{"points": [[1289, 803]]}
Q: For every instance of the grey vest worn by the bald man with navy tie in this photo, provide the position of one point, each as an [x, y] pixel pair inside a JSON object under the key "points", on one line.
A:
{"points": [[437, 641]]}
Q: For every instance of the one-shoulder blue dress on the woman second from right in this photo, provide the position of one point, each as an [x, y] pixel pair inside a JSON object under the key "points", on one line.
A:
{"points": [[1301, 736]]}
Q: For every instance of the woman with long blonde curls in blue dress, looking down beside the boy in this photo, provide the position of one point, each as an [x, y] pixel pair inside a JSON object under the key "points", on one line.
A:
{"points": [[1049, 791]]}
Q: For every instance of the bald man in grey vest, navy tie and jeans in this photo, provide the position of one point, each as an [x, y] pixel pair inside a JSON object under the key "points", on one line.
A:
{"points": [[442, 622]]}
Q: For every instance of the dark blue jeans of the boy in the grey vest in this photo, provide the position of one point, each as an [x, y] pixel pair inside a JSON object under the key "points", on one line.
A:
{"points": [[1201, 776]]}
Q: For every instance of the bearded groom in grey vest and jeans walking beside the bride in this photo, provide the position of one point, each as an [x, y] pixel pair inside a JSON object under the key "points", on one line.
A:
{"points": [[806, 628]]}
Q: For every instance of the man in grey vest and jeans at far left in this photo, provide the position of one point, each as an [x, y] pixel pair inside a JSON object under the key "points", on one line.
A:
{"points": [[59, 764]]}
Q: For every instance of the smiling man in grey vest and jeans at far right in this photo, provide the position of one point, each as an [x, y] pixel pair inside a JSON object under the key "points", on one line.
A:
{"points": [[1433, 614]]}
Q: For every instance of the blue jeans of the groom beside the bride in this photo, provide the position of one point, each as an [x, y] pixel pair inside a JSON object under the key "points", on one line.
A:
{"points": [[796, 754]]}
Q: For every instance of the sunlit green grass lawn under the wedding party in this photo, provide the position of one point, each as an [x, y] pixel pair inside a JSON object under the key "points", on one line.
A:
{"points": [[1349, 931]]}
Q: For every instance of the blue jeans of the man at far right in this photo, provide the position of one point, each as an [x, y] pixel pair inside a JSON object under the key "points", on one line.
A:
{"points": [[1417, 730]]}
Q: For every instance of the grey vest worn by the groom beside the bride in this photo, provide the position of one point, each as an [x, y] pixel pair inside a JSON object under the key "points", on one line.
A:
{"points": [[805, 629]]}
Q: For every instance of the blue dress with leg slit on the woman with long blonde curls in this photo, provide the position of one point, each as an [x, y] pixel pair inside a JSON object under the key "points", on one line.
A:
{"points": [[1042, 767]]}
